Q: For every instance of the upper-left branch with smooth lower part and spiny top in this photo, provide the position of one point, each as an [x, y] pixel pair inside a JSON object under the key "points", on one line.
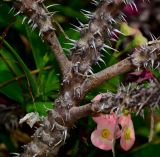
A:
{"points": [[40, 17]]}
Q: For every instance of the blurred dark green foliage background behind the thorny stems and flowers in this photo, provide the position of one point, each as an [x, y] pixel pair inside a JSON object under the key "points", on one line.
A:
{"points": [[29, 77]]}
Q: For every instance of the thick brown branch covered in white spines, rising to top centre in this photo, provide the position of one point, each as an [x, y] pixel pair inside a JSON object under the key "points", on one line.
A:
{"points": [[88, 49]]}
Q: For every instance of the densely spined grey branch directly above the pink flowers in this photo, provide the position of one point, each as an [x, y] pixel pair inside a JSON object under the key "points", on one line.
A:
{"points": [[133, 98]]}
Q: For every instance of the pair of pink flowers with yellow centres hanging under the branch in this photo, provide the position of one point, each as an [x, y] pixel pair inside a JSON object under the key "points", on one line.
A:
{"points": [[108, 129]]}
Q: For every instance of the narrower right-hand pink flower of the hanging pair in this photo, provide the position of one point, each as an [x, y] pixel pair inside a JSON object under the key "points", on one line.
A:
{"points": [[128, 136]]}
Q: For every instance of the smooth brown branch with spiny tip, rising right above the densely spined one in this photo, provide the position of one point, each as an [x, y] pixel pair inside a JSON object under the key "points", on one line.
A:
{"points": [[146, 56]]}
